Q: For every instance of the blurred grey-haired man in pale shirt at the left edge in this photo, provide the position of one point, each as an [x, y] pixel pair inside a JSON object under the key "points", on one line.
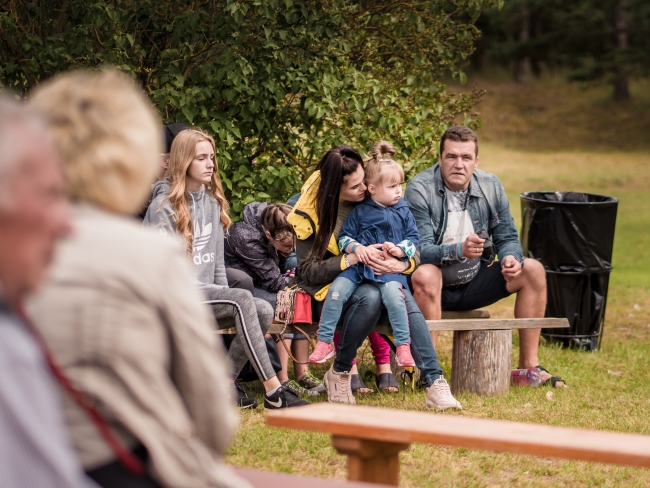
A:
{"points": [[34, 447]]}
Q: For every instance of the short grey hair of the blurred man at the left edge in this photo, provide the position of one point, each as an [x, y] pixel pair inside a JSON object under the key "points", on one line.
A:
{"points": [[14, 119]]}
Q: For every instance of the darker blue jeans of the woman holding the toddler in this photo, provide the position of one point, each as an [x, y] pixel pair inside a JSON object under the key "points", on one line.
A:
{"points": [[361, 313]]}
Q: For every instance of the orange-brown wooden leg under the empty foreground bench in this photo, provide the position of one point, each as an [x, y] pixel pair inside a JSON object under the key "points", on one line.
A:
{"points": [[371, 461]]}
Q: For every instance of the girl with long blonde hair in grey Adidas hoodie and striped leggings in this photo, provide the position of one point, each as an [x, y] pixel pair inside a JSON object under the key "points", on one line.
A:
{"points": [[190, 202]]}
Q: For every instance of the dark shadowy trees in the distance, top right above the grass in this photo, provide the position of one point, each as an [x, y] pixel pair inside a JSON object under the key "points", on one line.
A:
{"points": [[606, 40]]}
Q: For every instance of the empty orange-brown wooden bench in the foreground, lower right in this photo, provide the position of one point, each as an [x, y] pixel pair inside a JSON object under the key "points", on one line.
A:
{"points": [[372, 438]]}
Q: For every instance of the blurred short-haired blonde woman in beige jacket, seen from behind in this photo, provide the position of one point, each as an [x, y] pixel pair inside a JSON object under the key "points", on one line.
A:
{"points": [[119, 311]]}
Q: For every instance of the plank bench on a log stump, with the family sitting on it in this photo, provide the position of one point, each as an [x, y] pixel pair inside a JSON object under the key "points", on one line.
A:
{"points": [[482, 347]]}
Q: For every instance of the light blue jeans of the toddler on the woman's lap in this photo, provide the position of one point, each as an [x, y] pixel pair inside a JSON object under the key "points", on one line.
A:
{"points": [[391, 296]]}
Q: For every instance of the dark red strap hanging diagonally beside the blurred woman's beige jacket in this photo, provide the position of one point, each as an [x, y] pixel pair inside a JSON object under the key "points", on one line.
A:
{"points": [[125, 456]]}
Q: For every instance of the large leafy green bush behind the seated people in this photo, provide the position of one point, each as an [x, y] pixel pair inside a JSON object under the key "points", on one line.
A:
{"points": [[276, 82]]}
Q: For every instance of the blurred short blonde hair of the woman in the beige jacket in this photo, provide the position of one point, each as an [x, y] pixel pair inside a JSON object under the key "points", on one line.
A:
{"points": [[107, 134]]}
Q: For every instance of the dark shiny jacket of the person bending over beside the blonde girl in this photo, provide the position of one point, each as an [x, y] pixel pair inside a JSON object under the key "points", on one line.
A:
{"points": [[246, 248]]}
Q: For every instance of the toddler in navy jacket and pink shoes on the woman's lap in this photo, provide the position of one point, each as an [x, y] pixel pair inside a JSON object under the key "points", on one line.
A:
{"points": [[382, 222]]}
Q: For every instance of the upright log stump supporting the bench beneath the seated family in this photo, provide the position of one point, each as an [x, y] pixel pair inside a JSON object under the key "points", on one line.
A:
{"points": [[480, 362]]}
